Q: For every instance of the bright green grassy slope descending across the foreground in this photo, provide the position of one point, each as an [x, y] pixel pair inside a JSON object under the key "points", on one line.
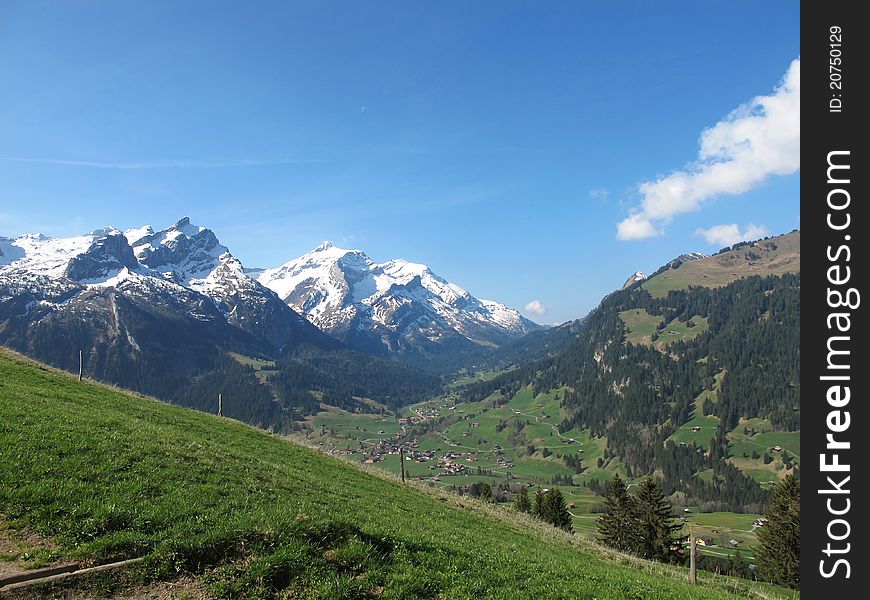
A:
{"points": [[110, 475]]}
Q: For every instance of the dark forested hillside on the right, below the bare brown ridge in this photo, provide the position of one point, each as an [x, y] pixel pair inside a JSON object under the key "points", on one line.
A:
{"points": [[646, 368]]}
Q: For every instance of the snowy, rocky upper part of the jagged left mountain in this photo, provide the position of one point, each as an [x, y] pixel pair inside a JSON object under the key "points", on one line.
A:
{"points": [[178, 261]]}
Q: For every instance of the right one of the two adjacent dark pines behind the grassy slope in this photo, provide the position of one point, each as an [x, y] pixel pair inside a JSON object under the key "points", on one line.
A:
{"points": [[655, 524]]}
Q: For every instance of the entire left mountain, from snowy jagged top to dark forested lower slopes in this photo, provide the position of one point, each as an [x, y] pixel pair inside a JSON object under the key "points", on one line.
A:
{"points": [[172, 313]]}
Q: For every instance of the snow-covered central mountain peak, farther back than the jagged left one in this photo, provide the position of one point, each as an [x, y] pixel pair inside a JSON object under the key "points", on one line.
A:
{"points": [[391, 307]]}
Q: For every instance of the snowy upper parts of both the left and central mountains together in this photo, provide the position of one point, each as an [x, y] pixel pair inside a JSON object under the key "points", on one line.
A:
{"points": [[396, 309]]}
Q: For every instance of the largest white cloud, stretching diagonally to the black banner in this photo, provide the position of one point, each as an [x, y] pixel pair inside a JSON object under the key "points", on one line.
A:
{"points": [[759, 139]]}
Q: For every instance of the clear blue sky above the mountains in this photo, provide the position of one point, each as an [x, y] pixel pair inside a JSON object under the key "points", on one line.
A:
{"points": [[502, 143]]}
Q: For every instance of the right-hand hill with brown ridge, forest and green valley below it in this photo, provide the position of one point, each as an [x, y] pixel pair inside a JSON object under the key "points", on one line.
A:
{"points": [[696, 387]]}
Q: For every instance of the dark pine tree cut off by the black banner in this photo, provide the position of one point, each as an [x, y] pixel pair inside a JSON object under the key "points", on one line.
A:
{"points": [[779, 555]]}
